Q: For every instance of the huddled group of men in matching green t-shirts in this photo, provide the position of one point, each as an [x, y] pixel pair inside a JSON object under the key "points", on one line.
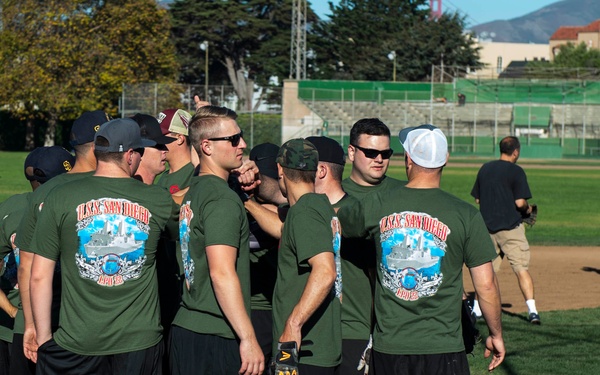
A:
{"points": [[392, 283]]}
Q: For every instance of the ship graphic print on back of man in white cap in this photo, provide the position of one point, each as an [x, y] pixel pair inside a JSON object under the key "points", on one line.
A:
{"points": [[413, 246]]}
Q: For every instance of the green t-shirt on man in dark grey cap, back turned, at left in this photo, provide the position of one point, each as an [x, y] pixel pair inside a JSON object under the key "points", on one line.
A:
{"points": [[105, 232]]}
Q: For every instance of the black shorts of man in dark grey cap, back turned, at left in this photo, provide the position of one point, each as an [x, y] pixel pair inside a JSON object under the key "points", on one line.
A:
{"points": [[52, 359]]}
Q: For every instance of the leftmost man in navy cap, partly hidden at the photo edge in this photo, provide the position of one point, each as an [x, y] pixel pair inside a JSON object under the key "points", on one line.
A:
{"points": [[41, 165]]}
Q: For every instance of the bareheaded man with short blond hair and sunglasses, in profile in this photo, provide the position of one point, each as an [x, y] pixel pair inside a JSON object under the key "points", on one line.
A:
{"points": [[212, 332]]}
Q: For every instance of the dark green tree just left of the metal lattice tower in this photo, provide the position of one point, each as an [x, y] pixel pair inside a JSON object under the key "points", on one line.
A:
{"points": [[249, 42]]}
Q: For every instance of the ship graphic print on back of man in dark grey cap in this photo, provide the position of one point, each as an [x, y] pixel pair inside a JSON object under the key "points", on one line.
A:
{"points": [[112, 237]]}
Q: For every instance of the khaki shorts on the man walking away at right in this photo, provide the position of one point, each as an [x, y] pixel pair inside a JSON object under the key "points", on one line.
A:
{"points": [[512, 244]]}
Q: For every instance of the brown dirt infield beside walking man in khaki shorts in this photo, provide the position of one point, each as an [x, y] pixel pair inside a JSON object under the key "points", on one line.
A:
{"points": [[565, 278]]}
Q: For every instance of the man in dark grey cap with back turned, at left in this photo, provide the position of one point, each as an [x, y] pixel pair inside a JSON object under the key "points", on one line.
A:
{"points": [[106, 240]]}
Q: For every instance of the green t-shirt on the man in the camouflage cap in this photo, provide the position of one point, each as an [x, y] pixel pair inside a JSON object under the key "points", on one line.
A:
{"points": [[310, 228]]}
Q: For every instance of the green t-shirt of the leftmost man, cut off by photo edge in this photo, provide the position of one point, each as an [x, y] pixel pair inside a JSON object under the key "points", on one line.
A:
{"points": [[11, 211]]}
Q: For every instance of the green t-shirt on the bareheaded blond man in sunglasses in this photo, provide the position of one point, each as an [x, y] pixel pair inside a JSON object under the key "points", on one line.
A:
{"points": [[211, 214]]}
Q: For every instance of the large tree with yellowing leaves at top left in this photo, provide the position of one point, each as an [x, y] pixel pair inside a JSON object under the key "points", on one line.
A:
{"points": [[62, 57]]}
